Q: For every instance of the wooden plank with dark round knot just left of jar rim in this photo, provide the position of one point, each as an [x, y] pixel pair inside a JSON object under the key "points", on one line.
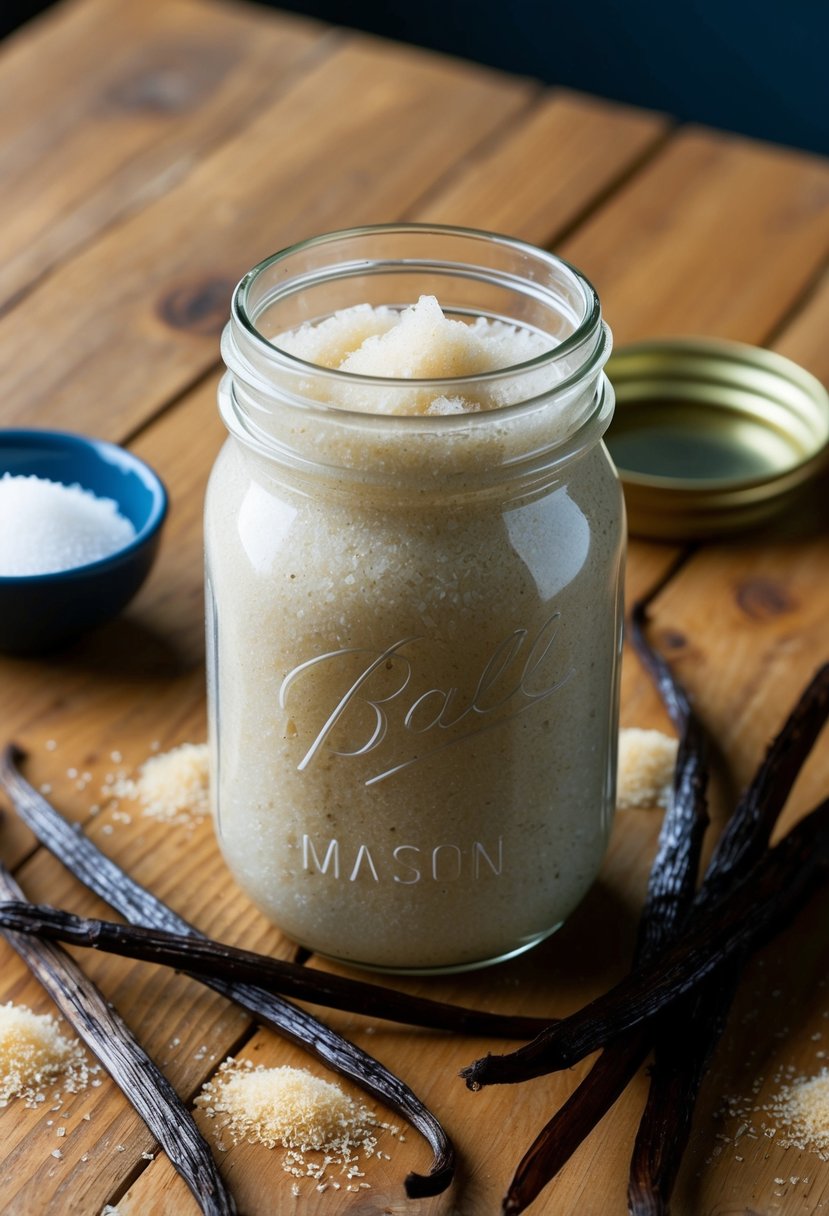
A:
{"points": [[357, 140]]}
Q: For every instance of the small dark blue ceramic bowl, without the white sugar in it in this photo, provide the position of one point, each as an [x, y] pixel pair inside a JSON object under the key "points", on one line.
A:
{"points": [[41, 611]]}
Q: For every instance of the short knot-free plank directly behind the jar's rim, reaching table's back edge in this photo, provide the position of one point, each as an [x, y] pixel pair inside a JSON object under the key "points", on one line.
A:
{"points": [[568, 153]]}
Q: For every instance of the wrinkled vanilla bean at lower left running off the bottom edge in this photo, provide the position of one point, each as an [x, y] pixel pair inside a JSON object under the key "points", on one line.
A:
{"points": [[139, 1078]]}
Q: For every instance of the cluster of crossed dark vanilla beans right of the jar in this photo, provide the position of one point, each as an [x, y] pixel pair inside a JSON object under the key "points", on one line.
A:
{"points": [[691, 950]]}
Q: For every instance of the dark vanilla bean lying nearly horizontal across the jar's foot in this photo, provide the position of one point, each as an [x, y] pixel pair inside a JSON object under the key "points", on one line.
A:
{"points": [[205, 958]]}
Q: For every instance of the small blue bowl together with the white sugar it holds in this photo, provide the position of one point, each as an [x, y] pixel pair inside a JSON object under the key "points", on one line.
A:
{"points": [[80, 528]]}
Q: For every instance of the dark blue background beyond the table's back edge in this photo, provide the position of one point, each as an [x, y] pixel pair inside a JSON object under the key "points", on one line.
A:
{"points": [[759, 67]]}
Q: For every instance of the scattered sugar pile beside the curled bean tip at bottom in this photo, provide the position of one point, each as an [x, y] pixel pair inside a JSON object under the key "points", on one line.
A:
{"points": [[296, 1111]]}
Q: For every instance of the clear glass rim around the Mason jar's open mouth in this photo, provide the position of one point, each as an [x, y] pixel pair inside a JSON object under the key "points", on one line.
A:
{"points": [[245, 317]]}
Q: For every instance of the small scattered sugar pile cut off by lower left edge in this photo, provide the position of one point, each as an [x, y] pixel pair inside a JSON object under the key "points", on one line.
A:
{"points": [[35, 1055]]}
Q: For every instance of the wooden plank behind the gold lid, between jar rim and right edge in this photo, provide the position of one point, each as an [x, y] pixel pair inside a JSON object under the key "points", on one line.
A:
{"points": [[717, 237]]}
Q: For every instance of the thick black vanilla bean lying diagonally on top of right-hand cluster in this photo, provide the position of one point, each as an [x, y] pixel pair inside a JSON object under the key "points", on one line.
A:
{"points": [[754, 910]]}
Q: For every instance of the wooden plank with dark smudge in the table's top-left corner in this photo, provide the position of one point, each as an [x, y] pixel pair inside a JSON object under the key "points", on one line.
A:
{"points": [[106, 106]]}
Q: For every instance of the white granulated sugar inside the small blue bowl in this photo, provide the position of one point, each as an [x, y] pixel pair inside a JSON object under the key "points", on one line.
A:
{"points": [[48, 527]]}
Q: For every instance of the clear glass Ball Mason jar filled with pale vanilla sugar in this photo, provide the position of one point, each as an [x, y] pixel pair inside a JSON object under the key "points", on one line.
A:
{"points": [[415, 622]]}
